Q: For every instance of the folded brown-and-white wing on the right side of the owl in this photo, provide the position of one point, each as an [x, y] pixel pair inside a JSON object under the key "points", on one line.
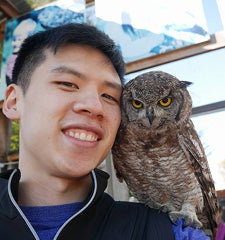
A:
{"points": [[195, 153]]}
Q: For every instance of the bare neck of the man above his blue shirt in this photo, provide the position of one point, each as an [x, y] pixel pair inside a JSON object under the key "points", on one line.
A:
{"points": [[47, 191]]}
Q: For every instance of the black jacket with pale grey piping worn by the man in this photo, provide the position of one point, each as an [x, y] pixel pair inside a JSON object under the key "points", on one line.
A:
{"points": [[101, 218]]}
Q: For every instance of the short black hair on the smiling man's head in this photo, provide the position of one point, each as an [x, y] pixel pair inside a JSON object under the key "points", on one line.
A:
{"points": [[32, 52]]}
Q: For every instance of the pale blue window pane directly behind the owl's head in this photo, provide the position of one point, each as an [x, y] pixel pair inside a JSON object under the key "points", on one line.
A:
{"points": [[204, 70]]}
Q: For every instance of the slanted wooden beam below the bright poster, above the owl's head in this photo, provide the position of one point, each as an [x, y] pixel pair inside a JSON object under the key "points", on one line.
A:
{"points": [[216, 41]]}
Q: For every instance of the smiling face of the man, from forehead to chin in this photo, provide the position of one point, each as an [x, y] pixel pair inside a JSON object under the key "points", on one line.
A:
{"points": [[70, 113]]}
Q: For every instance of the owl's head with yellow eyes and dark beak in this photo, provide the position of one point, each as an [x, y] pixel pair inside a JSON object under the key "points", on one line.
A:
{"points": [[157, 100]]}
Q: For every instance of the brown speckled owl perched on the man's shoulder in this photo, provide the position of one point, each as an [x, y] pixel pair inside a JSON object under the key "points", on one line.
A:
{"points": [[158, 153]]}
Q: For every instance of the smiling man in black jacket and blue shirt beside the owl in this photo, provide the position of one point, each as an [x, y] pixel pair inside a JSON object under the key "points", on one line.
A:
{"points": [[66, 90]]}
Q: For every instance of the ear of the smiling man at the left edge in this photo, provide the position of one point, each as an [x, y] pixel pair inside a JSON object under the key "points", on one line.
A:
{"points": [[11, 102]]}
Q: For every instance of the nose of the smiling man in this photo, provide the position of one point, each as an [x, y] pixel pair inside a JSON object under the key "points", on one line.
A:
{"points": [[89, 103]]}
